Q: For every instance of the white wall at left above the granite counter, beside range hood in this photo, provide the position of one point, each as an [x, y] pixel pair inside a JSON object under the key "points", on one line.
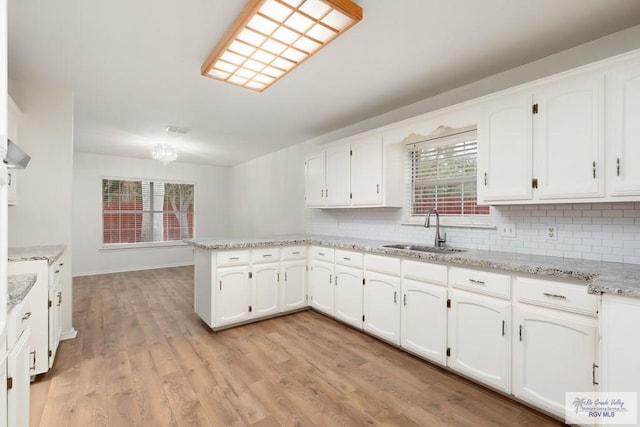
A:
{"points": [[42, 215]]}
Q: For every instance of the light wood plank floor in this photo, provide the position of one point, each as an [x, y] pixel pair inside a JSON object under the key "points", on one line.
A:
{"points": [[143, 358]]}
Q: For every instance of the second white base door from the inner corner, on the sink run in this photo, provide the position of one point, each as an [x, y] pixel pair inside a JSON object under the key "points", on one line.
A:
{"points": [[348, 295]]}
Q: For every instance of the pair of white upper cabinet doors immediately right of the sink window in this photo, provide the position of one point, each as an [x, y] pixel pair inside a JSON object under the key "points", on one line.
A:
{"points": [[544, 144]]}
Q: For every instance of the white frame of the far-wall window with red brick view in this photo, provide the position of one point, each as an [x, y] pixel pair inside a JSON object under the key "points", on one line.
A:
{"points": [[143, 245]]}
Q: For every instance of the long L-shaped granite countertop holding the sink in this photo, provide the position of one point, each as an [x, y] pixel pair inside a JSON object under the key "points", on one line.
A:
{"points": [[600, 277]]}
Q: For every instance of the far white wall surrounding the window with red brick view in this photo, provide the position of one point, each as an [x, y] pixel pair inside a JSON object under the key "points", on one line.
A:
{"points": [[211, 211]]}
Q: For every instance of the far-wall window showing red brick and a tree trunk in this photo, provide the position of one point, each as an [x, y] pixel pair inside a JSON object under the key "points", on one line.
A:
{"points": [[141, 211]]}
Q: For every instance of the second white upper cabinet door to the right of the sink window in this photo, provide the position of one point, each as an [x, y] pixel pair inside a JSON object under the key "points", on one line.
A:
{"points": [[568, 138]]}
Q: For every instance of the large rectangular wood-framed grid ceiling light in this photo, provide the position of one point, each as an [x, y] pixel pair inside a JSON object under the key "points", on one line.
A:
{"points": [[271, 37]]}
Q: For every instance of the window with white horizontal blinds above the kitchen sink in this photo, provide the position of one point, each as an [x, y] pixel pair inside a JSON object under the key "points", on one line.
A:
{"points": [[442, 175]]}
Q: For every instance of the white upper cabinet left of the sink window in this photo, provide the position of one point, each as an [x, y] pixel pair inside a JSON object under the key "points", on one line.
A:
{"points": [[358, 172]]}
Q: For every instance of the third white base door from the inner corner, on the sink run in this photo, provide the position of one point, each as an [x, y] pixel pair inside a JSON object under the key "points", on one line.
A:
{"points": [[381, 301]]}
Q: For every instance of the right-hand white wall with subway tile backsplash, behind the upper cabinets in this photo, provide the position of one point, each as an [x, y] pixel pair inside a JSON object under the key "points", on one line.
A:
{"points": [[581, 234]]}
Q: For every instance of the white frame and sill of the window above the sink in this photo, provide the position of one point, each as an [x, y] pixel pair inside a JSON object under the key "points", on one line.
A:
{"points": [[436, 139]]}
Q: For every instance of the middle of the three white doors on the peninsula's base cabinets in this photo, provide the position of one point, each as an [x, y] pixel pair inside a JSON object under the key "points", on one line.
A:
{"points": [[265, 289]]}
